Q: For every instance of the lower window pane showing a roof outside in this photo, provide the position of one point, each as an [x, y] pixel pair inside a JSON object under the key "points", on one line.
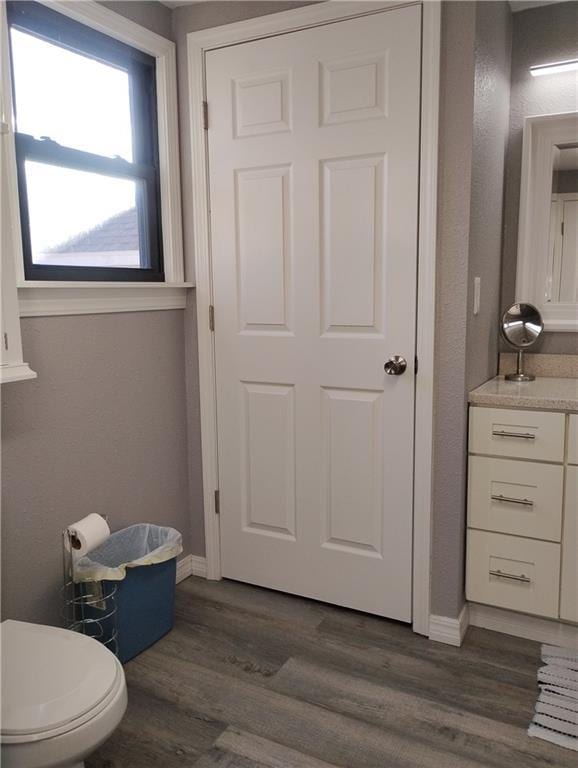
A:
{"points": [[82, 219]]}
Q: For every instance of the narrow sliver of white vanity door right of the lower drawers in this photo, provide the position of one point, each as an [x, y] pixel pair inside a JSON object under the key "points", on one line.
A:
{"points": [[569, 593]]}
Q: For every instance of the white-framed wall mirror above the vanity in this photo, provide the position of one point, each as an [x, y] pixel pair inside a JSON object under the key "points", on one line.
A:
{"points": [[547, 272]]}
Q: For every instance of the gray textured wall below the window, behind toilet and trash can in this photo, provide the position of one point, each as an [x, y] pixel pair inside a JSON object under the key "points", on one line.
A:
{"points": [[102, 429]]}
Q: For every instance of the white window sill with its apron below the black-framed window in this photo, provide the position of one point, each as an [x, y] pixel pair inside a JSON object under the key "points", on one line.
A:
{"points": [[44, 299]]}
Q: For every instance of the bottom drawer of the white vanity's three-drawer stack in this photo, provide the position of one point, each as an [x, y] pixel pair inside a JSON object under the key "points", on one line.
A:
{"points": [[511, 572]]}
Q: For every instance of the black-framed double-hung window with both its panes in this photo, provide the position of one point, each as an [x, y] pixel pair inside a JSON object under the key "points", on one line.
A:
{"points": [[86, 150]]}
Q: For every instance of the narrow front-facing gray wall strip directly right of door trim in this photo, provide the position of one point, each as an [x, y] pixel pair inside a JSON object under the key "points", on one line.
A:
{"points": [[454, 192]]}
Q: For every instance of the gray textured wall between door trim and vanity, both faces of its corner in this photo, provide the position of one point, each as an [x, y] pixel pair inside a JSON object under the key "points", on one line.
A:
{"points": [[473, 130]]}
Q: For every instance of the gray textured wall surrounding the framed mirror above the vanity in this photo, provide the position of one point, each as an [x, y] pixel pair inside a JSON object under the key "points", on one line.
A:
{"points": [[540, 35]]}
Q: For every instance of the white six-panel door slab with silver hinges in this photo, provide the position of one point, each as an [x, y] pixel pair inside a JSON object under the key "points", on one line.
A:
{"points": [[313, 159]]}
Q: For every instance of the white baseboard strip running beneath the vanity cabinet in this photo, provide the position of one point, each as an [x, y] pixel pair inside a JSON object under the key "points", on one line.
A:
{"points": [[521, 625]]}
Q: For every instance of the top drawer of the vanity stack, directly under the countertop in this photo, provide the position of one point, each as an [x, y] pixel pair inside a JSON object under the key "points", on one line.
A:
{"points": [[517, 434]]}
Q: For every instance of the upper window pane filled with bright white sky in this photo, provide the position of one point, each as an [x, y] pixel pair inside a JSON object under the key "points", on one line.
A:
{"points": [[75, 100]]}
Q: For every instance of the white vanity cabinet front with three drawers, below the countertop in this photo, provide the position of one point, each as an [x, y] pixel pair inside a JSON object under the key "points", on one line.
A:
{"points": [[522, 511]]}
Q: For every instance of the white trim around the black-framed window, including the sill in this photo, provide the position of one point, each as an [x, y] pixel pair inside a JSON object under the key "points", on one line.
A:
{"points": [[40, 298]]}
